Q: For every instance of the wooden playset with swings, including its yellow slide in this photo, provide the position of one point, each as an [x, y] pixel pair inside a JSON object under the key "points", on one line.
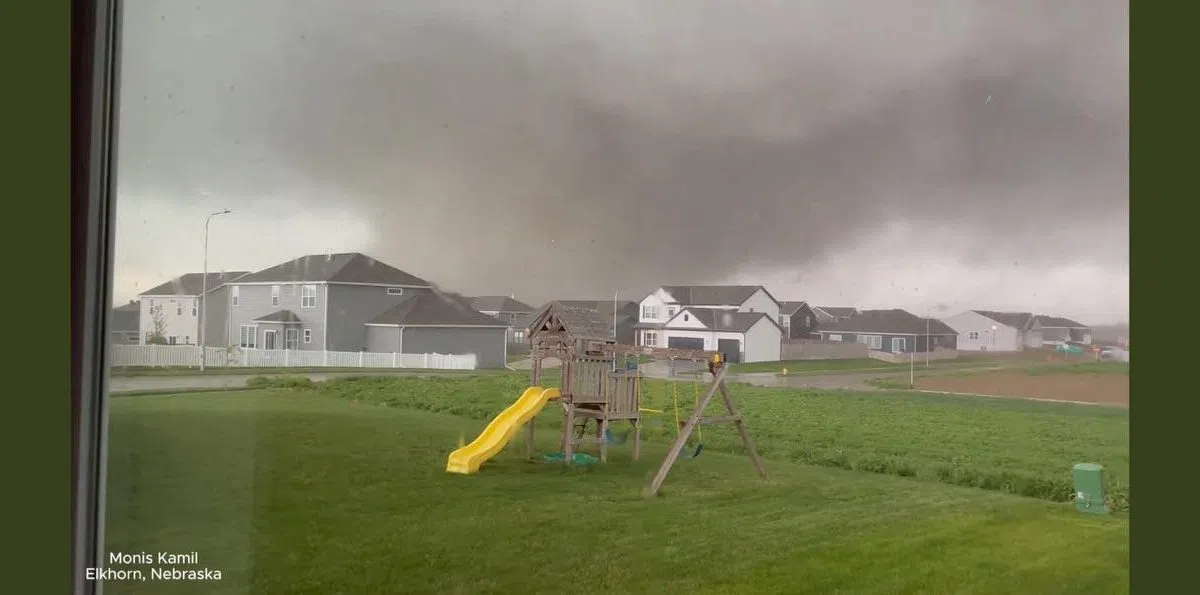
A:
{"points": [[595, 388]]}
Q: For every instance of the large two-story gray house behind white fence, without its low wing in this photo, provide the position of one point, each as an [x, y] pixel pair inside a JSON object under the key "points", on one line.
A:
{"points": [[316, 303]]}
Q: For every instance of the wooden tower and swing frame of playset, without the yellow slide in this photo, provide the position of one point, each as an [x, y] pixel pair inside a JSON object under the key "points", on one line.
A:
{"points": [[596, 388]]}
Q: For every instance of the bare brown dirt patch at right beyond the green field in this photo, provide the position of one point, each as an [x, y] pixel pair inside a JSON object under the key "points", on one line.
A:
{"points": [[1101, 389]]}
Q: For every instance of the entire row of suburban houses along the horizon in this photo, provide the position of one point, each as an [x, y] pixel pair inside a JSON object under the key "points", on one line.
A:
{"points": [[351, 303]]}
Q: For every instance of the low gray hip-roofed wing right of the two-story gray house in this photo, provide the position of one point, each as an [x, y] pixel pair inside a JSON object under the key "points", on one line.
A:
{"points": [[435, 322]]}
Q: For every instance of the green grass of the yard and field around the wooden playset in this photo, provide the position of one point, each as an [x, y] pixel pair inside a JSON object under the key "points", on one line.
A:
{"points": [[291, 491]]}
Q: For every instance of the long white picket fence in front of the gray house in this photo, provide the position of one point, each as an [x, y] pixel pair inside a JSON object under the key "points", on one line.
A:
{"points": [[218, 357]]}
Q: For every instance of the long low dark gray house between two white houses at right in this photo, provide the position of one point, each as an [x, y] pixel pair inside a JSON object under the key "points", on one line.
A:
{"points": [[891, 330]]}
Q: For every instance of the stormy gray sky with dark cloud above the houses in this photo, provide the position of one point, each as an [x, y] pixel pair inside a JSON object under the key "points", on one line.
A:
{"points": [[927, 155]]}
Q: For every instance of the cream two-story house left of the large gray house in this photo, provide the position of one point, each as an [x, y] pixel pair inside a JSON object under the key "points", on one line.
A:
{"points": [[170, 312]]}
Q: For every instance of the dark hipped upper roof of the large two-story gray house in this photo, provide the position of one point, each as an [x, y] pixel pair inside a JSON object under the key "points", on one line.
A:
{"points": [[346, 268]]}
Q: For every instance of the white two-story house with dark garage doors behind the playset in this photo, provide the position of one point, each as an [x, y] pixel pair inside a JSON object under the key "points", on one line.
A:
{"points": [[742, 322]]}
